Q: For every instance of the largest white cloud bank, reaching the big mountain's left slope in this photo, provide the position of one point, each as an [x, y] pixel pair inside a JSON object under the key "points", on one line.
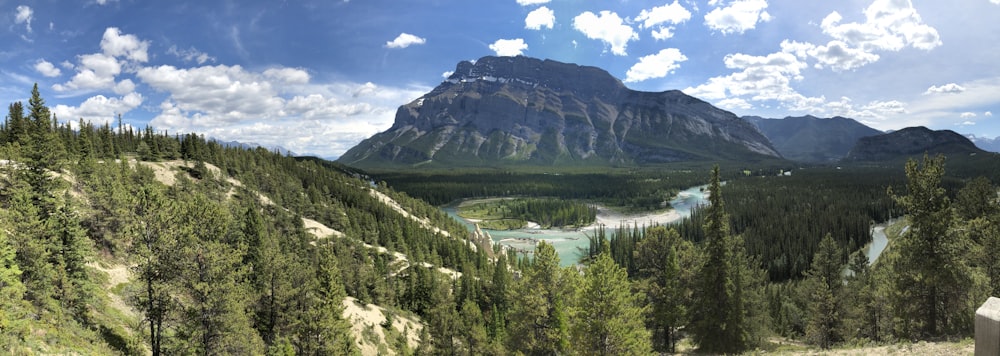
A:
{"points": [[278, 106]]}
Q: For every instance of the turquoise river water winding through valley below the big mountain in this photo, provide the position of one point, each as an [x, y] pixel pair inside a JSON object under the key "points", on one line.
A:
{"points": [[571, 244]]}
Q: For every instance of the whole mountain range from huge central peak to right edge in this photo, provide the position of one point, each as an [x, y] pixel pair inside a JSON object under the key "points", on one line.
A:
{"points": [[505, 111]]}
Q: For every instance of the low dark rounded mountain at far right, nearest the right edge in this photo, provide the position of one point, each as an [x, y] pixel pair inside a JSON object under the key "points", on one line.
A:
{"points": [[909, 142]]}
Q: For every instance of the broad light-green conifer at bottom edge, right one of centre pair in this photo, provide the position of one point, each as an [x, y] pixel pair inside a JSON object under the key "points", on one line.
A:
{"points": [[609, 317]]}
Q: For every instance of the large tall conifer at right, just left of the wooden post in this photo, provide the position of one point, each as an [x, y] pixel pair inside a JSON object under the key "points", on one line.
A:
{"points": [[932, 279]]}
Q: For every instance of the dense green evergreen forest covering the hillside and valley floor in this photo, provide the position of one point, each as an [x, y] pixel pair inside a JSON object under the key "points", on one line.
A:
{"points": [[124, 241]]}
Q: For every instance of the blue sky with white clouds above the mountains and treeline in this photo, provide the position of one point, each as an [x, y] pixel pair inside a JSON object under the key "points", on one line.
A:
{"points": [[319, 76]]}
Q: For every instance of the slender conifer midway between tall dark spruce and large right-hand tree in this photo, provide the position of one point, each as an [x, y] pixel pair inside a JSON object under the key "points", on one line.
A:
{"points": [[825, 289]]}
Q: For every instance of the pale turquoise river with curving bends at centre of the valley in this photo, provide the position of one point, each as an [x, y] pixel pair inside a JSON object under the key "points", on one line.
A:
{"points": [[568, 243]]}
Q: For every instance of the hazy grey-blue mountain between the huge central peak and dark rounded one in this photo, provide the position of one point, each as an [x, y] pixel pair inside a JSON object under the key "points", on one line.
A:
{"points": [[812, 139]]}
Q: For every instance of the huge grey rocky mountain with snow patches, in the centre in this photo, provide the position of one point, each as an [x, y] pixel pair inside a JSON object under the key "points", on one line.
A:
{"points": [[520, 110]]}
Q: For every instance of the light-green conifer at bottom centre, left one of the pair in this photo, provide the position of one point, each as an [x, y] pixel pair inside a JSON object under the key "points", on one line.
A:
{"points": [[539, 320]]}
